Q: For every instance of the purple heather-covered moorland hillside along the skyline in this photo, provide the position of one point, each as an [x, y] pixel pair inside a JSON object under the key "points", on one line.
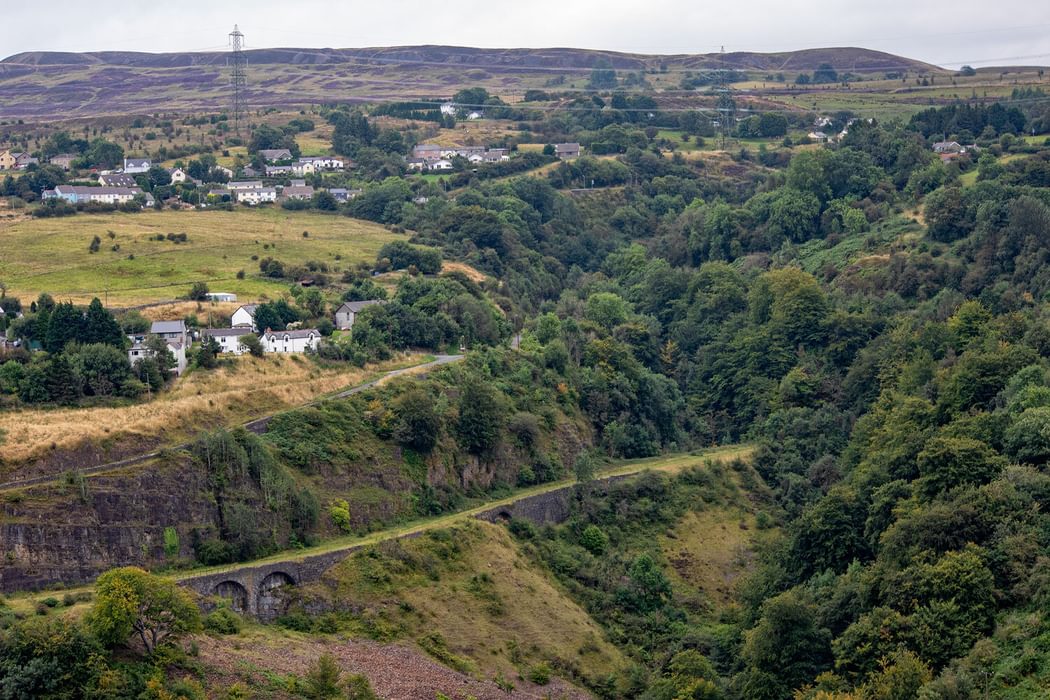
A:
{"points": [[53, 84]]}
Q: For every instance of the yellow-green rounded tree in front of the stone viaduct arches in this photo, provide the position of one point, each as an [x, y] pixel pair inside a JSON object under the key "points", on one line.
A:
{"points": [[132, 602]]}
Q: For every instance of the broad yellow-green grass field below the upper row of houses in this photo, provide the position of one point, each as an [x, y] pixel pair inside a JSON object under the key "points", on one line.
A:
{"points": [[52, 254]]}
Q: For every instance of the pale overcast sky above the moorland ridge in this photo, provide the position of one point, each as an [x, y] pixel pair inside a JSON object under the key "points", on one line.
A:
{"points": [[948, 33]]}
